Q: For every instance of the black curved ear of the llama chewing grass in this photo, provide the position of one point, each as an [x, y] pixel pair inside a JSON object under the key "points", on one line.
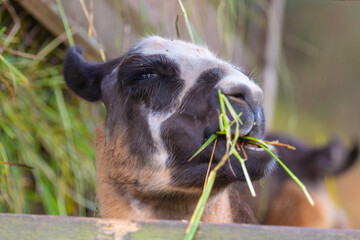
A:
{"points": [[84, 77]]}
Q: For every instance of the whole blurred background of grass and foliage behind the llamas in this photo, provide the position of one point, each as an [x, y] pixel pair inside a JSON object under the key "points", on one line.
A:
{"points": [[45, 126]]}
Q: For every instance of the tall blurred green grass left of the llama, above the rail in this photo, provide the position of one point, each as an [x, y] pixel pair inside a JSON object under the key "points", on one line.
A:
{"points": [[37, 127]]}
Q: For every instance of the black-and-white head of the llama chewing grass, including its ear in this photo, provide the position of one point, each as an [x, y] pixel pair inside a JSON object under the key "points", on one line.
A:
{"points": [[162, 98]]}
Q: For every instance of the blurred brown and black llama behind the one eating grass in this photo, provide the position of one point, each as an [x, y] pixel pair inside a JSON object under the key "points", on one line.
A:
{"points": [[288, 205]]}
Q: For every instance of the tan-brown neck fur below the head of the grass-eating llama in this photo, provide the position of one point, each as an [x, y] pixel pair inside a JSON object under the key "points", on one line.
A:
{"points": [[121, 194]]}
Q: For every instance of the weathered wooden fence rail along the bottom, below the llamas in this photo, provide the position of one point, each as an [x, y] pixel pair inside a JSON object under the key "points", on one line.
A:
{"points": [[26, 227]]}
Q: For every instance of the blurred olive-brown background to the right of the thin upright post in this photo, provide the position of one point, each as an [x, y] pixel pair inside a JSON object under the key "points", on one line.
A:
{"points": [[319, 71]]}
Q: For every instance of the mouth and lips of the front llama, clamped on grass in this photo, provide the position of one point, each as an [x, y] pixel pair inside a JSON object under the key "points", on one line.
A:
{"points": [[250, 130]]}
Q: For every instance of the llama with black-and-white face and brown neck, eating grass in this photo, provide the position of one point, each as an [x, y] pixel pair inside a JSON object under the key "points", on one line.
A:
{"points": [[162, 104]]}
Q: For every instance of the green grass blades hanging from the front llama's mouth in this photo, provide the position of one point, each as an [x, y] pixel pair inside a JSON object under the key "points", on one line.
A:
{"points": [[234, 145]]}
